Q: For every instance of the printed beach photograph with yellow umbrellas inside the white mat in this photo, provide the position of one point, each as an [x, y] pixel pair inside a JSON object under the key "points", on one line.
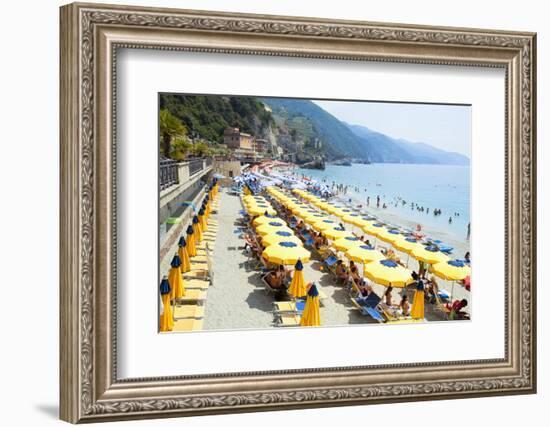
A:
{"points": [[294, 213]]}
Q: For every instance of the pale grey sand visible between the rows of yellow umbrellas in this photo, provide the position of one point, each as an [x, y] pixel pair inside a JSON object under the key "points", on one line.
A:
{"points": [[237, 298]]}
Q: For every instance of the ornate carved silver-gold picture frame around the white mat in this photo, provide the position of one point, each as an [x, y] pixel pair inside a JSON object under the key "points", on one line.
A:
{"points": [[90, 37]]}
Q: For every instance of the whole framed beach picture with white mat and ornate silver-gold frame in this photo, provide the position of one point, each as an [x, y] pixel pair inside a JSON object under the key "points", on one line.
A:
{"points": [[267, 212]]}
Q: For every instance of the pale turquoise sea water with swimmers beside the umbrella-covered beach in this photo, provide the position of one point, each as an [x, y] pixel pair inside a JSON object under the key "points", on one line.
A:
{"points": [[430, 186]]}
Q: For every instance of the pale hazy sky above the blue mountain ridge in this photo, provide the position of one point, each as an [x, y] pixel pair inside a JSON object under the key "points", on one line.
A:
{"points": [[443, 126]]}
